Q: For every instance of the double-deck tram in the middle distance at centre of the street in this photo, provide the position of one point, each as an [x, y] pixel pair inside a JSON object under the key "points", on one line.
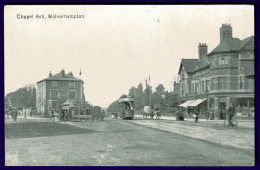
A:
{"points": [[126, 104]]}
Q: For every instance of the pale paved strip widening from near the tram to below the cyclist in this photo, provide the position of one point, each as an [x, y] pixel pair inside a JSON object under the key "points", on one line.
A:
{"points": [[243, 139]]}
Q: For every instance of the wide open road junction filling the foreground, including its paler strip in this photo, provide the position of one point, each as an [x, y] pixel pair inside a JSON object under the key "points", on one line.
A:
{"points": [[126, 143]]}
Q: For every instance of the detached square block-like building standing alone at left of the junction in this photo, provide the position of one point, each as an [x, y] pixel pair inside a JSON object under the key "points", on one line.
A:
{"points": [[57, 90]]}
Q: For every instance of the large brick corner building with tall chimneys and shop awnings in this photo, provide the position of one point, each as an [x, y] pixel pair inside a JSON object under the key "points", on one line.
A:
{"points": [[222, 77]]}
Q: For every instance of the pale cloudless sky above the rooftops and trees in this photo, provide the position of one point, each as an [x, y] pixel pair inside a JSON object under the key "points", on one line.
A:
{"points": [[116, 47]]}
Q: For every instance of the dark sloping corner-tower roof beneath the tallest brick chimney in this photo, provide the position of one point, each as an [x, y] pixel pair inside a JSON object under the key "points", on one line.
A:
{"points": [[230, 44]]}
